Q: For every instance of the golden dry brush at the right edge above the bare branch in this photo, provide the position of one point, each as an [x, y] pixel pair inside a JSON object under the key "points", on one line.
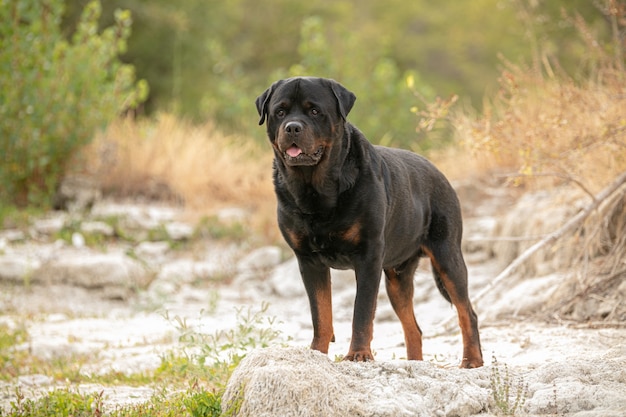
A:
{"points": [[552, 130]]}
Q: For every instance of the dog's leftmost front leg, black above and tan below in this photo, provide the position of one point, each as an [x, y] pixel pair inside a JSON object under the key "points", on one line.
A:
{"points": [[316, 280]]}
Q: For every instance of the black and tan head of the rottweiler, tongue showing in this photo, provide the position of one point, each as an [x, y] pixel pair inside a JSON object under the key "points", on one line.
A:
{"points": [[305, 117]]}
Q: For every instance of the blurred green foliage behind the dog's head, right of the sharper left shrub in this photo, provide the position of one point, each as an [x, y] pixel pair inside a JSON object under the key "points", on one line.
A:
{"points": [[209, 59]]}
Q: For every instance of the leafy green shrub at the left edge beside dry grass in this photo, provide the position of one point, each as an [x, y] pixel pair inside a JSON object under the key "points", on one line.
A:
{"points": [[55, 93]]}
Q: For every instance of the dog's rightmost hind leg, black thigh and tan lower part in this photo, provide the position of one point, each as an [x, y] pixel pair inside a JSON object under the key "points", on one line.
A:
{"points": [[451, 275]]}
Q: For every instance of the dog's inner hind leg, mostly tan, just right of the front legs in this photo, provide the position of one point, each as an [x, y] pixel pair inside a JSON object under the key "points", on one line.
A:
{"points": [[399, 284]]}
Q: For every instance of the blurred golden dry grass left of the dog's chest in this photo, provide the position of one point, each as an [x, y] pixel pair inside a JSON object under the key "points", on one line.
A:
{"points": [[195, 166]]}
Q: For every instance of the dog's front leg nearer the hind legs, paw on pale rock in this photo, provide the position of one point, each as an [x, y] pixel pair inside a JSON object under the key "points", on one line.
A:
{"points": [[368, 275]]}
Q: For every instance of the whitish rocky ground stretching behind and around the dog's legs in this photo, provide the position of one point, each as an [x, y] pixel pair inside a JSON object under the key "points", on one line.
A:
{"points": [[109, 284]]}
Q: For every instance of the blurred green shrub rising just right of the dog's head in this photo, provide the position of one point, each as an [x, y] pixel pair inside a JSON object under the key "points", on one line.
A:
{"points": [[384, 97]]}
